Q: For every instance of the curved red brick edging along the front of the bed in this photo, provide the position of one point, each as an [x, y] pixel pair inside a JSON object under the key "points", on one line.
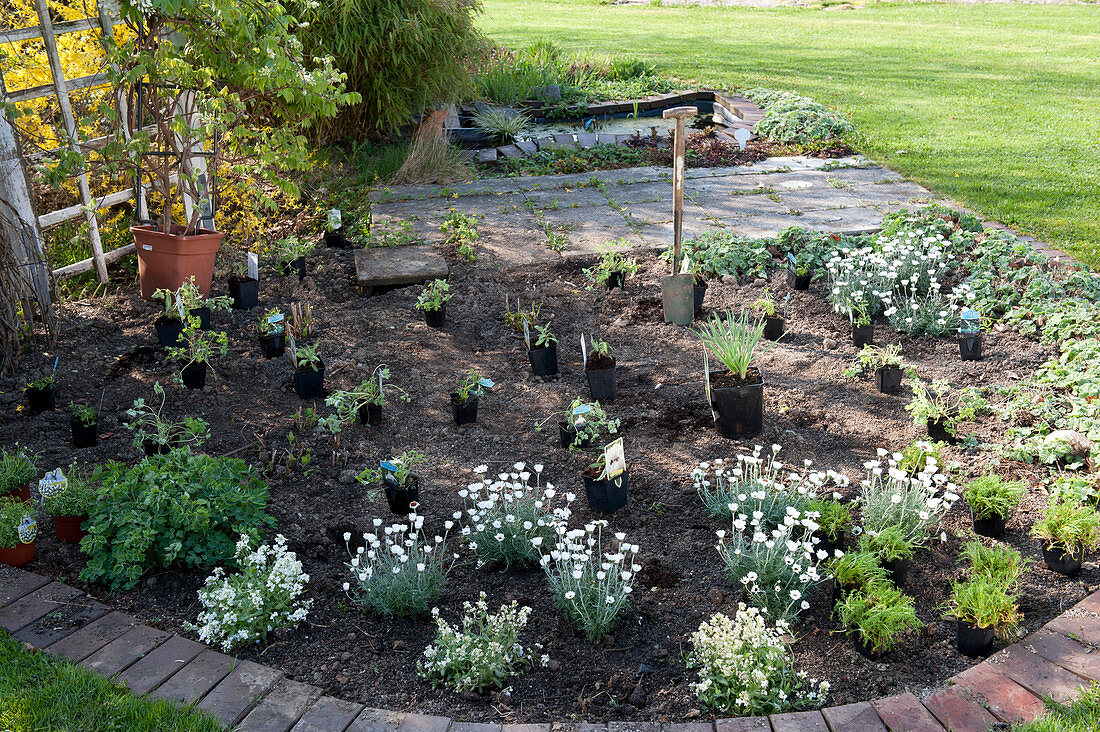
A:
{"points": [[60, 620]]}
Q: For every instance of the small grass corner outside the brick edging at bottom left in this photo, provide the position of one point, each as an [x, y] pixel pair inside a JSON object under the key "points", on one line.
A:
{"points": [[41, 694]]}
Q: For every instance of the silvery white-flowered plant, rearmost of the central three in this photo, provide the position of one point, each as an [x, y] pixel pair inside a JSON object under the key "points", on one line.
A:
{"points": [[504, 515]]}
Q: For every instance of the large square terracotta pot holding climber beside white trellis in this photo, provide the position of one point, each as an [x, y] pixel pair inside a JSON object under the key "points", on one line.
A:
{"points": [[168, 260]]}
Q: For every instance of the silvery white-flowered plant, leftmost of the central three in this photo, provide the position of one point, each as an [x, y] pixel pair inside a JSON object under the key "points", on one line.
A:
{"points": [[402, 572]]}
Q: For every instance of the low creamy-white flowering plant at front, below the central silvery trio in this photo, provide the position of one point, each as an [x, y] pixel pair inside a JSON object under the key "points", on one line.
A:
{"points": [[483, 653]]}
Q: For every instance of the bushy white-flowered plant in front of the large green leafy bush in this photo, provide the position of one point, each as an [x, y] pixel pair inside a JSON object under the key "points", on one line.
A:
{"points": [[265, 595]]}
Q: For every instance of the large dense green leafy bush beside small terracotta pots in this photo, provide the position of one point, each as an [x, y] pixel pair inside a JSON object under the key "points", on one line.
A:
{"points": [[177, 509]]}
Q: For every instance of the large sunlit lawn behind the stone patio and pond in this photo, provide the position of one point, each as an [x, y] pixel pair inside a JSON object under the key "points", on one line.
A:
{"points": [[996, 106]]}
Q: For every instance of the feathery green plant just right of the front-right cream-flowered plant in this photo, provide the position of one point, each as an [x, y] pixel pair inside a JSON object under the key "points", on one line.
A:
{"points": [[877, 618]]}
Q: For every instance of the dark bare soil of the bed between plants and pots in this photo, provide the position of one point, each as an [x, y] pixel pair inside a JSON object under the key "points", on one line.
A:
{"points": [[639, 673]]}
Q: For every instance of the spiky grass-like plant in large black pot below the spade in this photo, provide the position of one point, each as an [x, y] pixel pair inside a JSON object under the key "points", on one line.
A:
{"points": [[738, 395]]}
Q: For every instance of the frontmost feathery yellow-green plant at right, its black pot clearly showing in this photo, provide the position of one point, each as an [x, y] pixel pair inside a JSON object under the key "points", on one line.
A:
{"points": [[982, 607]]}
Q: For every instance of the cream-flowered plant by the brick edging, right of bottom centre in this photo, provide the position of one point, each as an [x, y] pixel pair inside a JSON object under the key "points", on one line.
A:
{"points": [[745, 668]]}
